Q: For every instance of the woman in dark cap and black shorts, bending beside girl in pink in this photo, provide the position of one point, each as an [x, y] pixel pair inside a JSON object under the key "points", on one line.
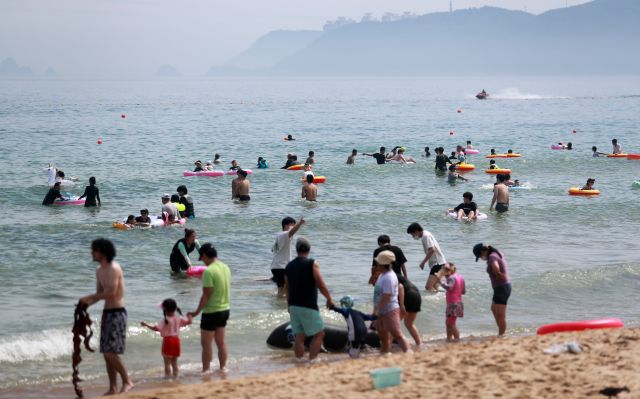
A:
{"points": [[498, 270]]}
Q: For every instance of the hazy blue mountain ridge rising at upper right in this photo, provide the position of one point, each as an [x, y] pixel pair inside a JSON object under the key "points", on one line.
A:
{"points": [[600, 37]]}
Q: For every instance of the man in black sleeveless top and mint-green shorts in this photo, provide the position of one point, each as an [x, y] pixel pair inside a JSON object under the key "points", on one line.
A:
{"points": [[302, 282]]}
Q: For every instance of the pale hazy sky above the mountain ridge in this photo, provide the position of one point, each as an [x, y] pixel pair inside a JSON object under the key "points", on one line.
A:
{"points": [[134, 37]]}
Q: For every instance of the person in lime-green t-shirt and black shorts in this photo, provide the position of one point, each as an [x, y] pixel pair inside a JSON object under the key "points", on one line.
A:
{"points": [[214, 305]]}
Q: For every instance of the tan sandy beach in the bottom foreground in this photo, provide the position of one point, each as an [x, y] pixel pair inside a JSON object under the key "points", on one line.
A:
{"points": [[509, 367]]}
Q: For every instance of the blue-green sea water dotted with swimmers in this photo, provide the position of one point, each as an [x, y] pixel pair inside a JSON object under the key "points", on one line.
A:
{"points": [[570, 258]]}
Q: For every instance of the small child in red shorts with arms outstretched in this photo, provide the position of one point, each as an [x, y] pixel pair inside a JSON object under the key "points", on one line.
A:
{"points": [[169, 329]]}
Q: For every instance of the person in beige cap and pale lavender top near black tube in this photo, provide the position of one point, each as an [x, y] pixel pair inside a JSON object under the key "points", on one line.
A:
{"points": [[387, 306]]}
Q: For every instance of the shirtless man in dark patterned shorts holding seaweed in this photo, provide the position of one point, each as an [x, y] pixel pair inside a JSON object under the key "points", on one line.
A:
{"points": [[113, 328]]}
